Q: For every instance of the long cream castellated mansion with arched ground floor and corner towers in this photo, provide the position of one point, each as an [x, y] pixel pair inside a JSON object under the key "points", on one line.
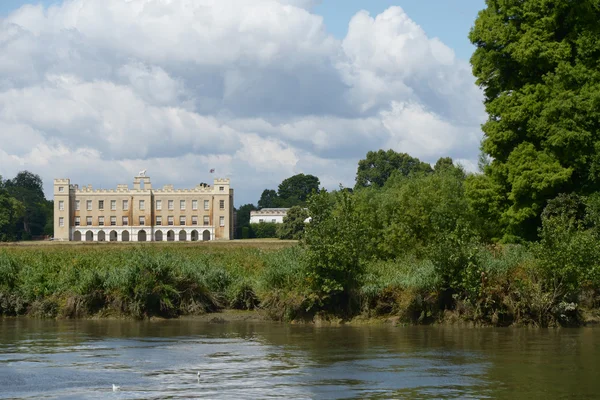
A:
{"points": [[143, 214]]}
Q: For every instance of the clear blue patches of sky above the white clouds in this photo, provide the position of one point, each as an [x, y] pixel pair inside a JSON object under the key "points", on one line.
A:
{"points": [[449, 20]]}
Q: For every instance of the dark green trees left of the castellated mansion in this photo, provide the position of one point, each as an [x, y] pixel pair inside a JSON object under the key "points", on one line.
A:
{"points": [[25, 213]]}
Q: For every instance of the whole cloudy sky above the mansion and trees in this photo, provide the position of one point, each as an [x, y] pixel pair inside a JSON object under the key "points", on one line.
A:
{"points": [[259, 90]]}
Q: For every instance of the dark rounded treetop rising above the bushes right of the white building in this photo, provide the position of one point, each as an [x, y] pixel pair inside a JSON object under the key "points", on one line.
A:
{"points": [[378, 166]]}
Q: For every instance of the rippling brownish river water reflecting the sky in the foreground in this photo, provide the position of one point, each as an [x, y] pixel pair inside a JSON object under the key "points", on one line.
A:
{"points": [[243, 360]]}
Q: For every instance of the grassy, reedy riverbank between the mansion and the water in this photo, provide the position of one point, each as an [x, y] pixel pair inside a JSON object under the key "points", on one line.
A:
{"points": [[269, 279]]}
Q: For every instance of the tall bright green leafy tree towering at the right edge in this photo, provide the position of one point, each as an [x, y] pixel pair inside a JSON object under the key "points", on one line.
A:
{"points": [[537, 62]]}
